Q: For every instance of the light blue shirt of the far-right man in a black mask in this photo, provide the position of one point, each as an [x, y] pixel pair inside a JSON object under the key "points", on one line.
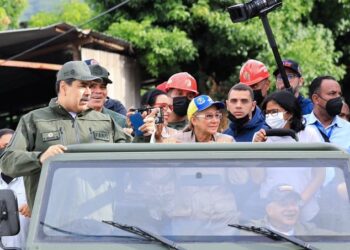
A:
{"points": [[338, 132]]}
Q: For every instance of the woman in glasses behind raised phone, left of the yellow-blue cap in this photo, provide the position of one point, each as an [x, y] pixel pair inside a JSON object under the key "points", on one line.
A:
{"points": [[156, 98]]}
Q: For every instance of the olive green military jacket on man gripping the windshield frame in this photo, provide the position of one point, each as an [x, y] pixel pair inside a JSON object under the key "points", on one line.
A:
{"points": [[49, 126]]}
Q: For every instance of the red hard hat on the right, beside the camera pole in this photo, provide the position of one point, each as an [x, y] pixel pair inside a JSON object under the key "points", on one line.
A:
{"points": [[253, 72]]}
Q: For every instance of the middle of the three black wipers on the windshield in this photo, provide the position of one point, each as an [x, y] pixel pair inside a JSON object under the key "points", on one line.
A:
{"points": [[144, 234]]}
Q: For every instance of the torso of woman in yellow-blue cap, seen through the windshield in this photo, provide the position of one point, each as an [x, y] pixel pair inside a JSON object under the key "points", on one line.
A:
{"points": [[202, 202]]}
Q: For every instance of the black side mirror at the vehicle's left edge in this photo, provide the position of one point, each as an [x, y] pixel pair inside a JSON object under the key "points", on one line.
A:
{"points": [[9, 218]]}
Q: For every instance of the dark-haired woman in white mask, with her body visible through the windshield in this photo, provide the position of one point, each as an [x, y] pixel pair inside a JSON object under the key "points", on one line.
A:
{"points": [[282, 110]]}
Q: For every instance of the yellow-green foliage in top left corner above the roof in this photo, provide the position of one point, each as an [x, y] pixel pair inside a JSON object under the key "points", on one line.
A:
{"points": [[10, 12]]}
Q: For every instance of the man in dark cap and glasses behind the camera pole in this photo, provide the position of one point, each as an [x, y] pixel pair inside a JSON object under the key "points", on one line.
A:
{"points": [[296, 81]]}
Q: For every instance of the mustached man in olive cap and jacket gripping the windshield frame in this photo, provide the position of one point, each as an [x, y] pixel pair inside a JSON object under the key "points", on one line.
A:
{"points": [[44, 132]]}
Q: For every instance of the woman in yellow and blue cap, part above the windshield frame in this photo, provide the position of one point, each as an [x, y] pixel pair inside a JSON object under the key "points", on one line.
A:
{"points": [[204, 117]]}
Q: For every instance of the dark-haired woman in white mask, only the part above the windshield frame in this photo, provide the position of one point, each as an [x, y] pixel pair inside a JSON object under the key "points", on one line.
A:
{"points": [[282, 110]]}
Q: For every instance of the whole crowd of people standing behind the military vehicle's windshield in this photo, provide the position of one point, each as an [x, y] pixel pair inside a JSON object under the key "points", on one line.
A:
{"points": [[82, 112]]}
